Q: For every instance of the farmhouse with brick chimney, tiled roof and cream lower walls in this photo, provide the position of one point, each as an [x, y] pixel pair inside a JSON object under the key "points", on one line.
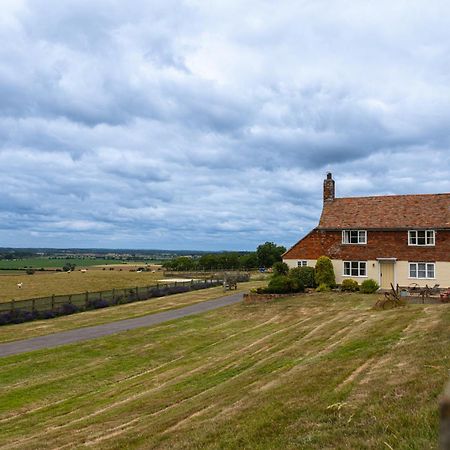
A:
{"points": [[400, 239]]}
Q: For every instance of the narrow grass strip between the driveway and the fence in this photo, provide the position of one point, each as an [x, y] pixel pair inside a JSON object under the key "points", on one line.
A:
{"points": [[127, 311]]}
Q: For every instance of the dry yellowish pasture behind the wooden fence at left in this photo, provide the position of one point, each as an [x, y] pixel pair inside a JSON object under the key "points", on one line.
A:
{"points": [[71, 283]]}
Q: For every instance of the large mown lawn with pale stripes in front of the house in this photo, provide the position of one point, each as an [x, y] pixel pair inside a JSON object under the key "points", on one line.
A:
{"points": [[320, 371]]}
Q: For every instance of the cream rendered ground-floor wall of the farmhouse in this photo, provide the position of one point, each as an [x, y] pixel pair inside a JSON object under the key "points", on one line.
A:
{"points": [[401, 272]]}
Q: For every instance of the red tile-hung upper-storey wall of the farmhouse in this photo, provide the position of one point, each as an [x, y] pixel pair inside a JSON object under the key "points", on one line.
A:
{"points": [[380, 244]]}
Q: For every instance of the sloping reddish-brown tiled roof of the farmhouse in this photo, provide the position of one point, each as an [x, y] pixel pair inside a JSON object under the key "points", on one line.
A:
{"points": [[389, 211]]}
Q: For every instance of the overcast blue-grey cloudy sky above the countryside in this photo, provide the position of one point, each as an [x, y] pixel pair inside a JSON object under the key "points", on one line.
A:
{"points": [[211, 124]]}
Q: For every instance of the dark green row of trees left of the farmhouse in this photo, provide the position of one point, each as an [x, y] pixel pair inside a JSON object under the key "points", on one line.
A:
{"points": [[265, 255]]}
